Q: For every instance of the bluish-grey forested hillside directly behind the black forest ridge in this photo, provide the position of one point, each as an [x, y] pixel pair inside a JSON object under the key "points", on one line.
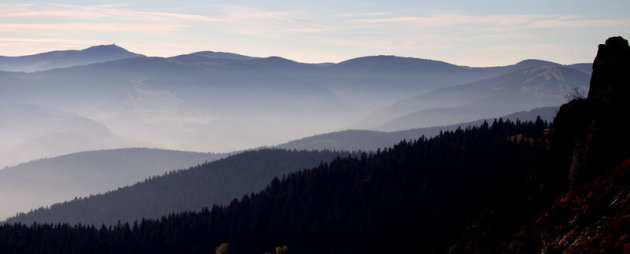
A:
{"points": [[184, 190]]}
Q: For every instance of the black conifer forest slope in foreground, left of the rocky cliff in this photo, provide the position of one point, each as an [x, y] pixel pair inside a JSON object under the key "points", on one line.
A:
{"points": [[414, 197]]}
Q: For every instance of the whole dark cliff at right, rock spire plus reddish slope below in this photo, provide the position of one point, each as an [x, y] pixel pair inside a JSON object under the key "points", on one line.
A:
{"points": [[579, 199]]}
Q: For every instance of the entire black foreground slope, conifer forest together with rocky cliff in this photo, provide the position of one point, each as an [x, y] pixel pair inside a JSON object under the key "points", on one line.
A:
{"points": [[518, 186]]}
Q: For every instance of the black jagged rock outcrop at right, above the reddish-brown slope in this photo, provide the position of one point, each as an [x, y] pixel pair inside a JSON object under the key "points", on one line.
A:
{"points": [[592, 134]]}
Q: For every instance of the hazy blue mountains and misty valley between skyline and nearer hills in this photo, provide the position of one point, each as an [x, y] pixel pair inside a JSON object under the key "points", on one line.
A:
{"points": [[221, 102]]}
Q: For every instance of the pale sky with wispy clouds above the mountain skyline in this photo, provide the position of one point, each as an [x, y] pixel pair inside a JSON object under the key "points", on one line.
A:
{"points": [[472, 33]]}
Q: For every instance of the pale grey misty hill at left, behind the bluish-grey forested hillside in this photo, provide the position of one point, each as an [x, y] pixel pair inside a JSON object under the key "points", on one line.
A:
{"points": [[47, 181]]}
